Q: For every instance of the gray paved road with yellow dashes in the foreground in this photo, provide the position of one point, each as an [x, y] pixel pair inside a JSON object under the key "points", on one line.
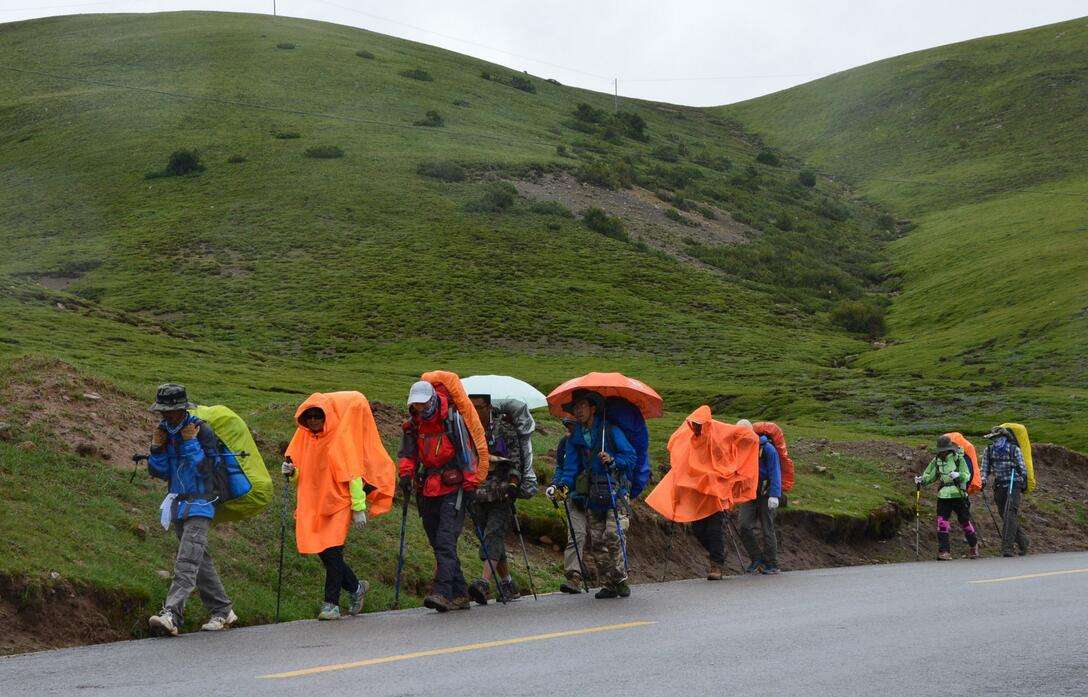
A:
{"points": [[921, 629]]}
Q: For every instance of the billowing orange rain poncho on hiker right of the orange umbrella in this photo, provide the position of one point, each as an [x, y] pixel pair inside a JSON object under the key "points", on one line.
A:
{"points": [[711, 472]]}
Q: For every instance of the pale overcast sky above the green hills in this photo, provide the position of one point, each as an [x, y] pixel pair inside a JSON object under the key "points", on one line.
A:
{"points": [[695, 53]]}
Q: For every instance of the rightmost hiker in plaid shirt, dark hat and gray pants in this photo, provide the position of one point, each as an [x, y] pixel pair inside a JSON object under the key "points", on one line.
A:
{"points": [[1004, 464]]}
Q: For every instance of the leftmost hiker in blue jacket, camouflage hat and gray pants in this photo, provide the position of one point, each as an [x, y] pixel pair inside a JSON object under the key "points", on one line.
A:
{"points": [[186, 453]]}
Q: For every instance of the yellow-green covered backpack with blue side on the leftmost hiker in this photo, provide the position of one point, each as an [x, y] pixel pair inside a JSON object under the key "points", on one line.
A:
{"points": [[242, 478]]}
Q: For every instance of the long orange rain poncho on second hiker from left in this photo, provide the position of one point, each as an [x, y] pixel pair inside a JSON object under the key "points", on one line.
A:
{"points": [[349, 449]]}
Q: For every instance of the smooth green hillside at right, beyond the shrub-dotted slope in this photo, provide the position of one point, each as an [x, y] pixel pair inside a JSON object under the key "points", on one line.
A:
{"points": [[983, 145]]}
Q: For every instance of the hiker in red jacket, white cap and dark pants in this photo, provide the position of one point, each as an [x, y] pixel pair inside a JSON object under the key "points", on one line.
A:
{"points": [[429, 465]]}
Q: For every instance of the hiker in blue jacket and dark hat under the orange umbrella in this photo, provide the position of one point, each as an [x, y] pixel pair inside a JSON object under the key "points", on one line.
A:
{"points": [[601, 472]]}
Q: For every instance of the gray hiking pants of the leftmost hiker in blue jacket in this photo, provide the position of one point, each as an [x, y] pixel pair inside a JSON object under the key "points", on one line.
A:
{"points": [[194, 569]]}
